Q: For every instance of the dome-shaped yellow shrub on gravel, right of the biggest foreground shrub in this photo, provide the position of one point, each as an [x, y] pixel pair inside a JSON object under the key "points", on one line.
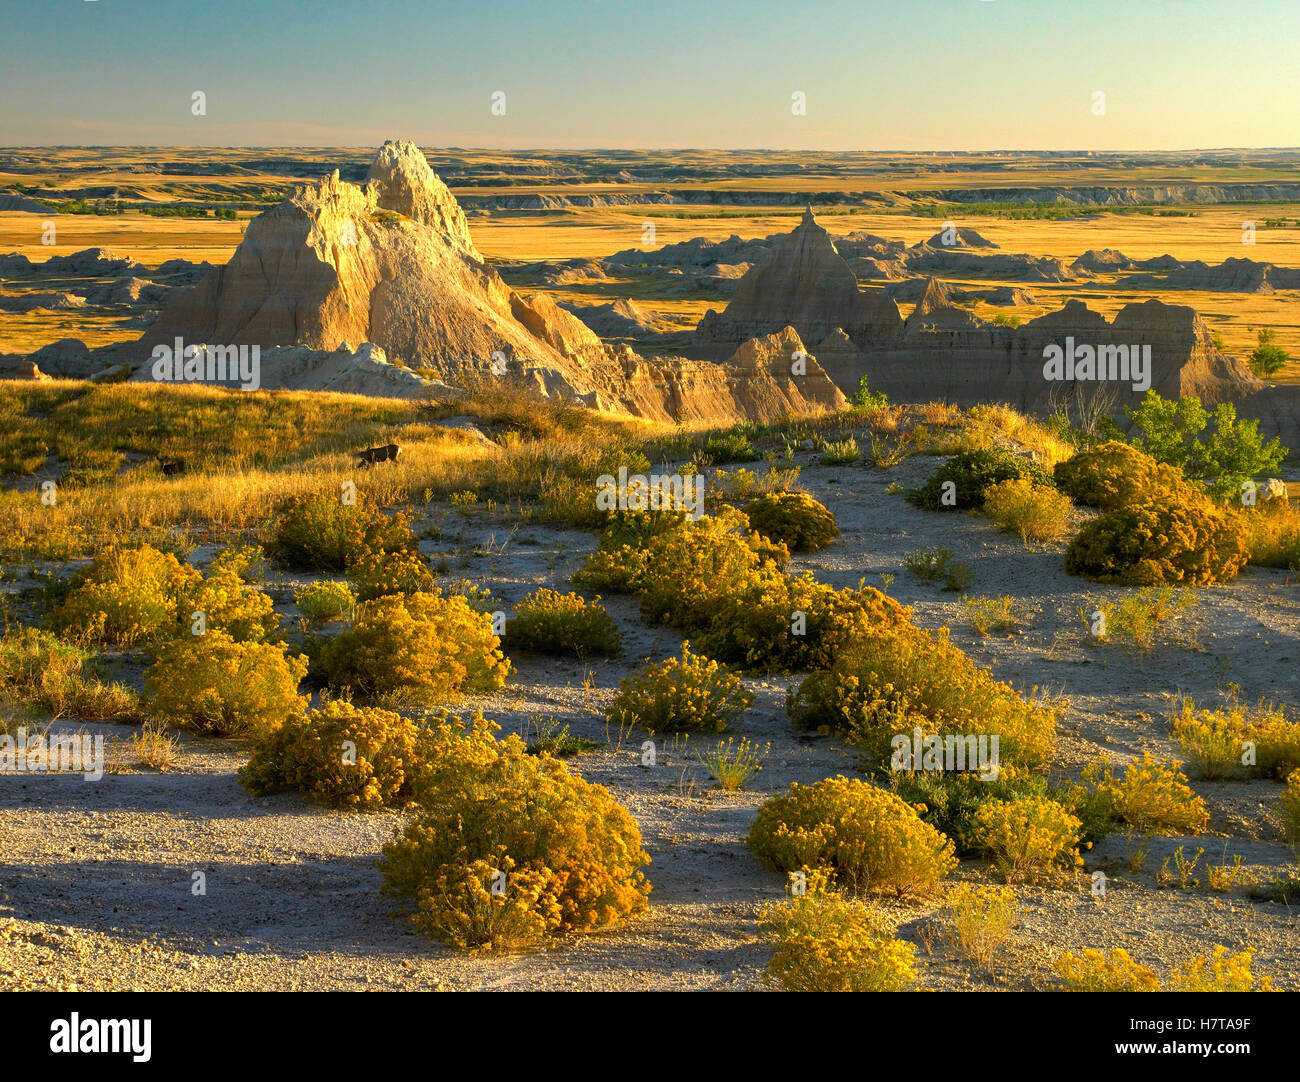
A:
{"points": [[869, 838]]}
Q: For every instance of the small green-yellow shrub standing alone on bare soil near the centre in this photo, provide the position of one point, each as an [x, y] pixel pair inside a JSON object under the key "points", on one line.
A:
{"points": [[688, 694]]}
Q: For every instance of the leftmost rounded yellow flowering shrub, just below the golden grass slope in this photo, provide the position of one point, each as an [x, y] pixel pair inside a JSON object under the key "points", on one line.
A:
{"points": [[127, 596]]}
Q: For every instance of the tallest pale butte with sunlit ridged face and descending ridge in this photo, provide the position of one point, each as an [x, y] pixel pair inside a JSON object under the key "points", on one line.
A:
{"points": [[349, 287]]}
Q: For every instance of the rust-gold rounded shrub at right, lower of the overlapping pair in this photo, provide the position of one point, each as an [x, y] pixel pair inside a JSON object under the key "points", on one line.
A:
{"points": [[1168, 540]]}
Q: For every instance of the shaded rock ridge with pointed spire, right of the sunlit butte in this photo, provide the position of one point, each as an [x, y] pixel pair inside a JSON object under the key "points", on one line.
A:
{"points": [[946, 353]]}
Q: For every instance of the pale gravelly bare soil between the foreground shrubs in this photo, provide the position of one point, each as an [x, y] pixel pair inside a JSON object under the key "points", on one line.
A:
{"points": [[96, 880]]}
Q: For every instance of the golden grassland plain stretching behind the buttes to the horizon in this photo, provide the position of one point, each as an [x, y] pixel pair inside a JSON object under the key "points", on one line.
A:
{"points": [[1212, 233]]}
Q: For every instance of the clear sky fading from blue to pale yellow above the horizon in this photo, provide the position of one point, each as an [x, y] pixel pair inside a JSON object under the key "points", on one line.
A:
{"points": [[876, 75]]}
